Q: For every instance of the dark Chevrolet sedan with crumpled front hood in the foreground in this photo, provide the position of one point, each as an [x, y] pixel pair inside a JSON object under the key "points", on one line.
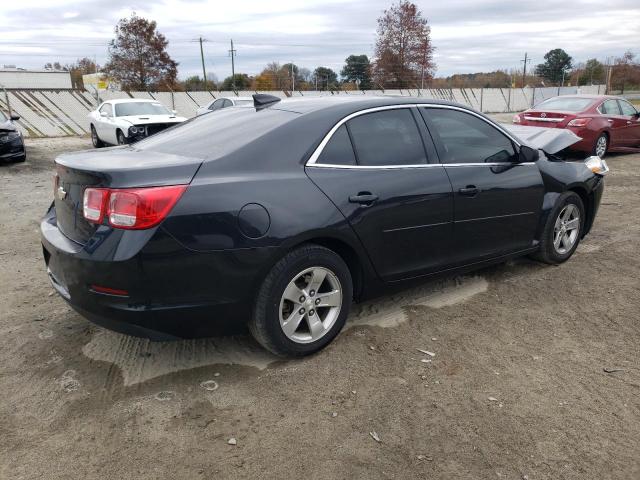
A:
{"points": [[280, 215]]}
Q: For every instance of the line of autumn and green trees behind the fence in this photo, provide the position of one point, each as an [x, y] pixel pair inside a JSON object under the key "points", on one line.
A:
{"points": [[138, 60]]}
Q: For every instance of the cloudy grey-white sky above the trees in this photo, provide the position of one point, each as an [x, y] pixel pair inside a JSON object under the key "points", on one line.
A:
{"points": [[469, 35]]}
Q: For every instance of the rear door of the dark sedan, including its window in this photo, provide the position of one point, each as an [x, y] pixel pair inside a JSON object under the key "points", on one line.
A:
{"points": [[377, 169]]}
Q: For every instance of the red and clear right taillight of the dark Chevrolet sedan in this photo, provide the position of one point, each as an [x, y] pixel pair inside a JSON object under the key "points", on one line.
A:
{"points": [[131, 208]]}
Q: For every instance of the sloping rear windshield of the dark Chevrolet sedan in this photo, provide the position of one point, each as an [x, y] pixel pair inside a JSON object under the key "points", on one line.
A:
{"points": [[212, 136]]}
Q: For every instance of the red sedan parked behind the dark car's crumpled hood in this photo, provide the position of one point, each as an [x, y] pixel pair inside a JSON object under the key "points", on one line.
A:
{"points": [[605, 123]]}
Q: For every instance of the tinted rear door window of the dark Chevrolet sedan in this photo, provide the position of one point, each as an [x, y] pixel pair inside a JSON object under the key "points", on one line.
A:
{"points": [[387, 138]]}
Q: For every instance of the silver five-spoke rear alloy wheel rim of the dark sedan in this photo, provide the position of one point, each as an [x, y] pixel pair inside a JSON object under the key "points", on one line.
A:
{"points": [[310, 305]]}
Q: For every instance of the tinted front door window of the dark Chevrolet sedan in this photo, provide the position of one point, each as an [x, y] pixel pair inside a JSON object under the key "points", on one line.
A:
{"points": [[466, 138]]}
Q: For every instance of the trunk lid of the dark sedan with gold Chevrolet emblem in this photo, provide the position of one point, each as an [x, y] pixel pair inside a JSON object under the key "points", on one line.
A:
{"points": [[115, 168]]}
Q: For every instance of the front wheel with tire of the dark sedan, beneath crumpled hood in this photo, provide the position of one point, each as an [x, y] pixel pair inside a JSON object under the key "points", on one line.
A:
{"points": [[563, 230]]}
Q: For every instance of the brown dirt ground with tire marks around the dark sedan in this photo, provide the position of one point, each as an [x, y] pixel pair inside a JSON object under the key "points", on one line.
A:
{"points": [[516, 388]]}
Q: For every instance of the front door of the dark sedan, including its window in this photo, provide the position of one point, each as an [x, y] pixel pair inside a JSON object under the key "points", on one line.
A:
{"points": [[497, 200]]}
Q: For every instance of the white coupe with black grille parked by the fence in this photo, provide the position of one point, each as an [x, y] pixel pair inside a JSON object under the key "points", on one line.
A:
{"points": [[119, 122]]}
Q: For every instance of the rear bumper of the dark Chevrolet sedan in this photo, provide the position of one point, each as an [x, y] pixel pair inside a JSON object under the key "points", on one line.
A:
{"points": [[171, 292]]}
